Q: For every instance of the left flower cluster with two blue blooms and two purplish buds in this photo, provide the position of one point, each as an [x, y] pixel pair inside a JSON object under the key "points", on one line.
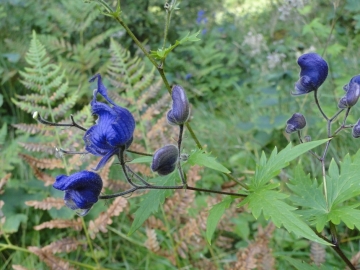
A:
{"points": [[111, 135]]}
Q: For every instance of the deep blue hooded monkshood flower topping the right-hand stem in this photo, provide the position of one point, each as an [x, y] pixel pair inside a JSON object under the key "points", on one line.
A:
{"points": [[314, 71]]}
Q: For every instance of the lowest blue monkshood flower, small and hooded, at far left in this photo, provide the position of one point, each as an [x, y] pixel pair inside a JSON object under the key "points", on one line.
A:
{"points": [[82, 190]]}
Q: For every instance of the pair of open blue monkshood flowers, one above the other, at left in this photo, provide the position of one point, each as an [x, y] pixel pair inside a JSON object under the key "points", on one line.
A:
{"points": [[112, 132]]}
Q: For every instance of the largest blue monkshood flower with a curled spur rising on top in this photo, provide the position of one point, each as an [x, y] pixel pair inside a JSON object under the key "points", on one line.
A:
{"points": [[114, 128]]}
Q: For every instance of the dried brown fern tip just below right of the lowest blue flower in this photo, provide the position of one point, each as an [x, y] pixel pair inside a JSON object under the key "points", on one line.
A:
{"points": [[99, 224]]}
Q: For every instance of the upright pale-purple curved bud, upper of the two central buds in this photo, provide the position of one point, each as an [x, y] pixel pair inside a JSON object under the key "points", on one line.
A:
{"points": [[180, 110]]}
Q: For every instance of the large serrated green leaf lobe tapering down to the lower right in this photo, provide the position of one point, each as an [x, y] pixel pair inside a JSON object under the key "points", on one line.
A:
{"points": [[271, 204]]}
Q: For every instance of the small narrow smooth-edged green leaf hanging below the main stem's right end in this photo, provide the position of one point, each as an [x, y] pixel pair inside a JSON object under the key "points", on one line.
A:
{"points": [[215, 215]]}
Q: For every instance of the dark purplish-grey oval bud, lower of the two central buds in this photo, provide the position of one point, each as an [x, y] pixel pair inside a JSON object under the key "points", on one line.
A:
{"points": [[165, 159]]}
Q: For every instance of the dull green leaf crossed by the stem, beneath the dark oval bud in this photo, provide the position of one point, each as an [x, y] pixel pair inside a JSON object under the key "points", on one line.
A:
{"points": [[151, 201]]}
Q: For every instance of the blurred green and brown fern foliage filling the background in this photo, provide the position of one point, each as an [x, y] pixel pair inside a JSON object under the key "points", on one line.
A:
{"points": [[238, 77]]}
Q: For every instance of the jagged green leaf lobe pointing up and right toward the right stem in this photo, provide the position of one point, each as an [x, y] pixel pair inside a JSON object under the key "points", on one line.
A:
{"points": [[267, 169]]}
